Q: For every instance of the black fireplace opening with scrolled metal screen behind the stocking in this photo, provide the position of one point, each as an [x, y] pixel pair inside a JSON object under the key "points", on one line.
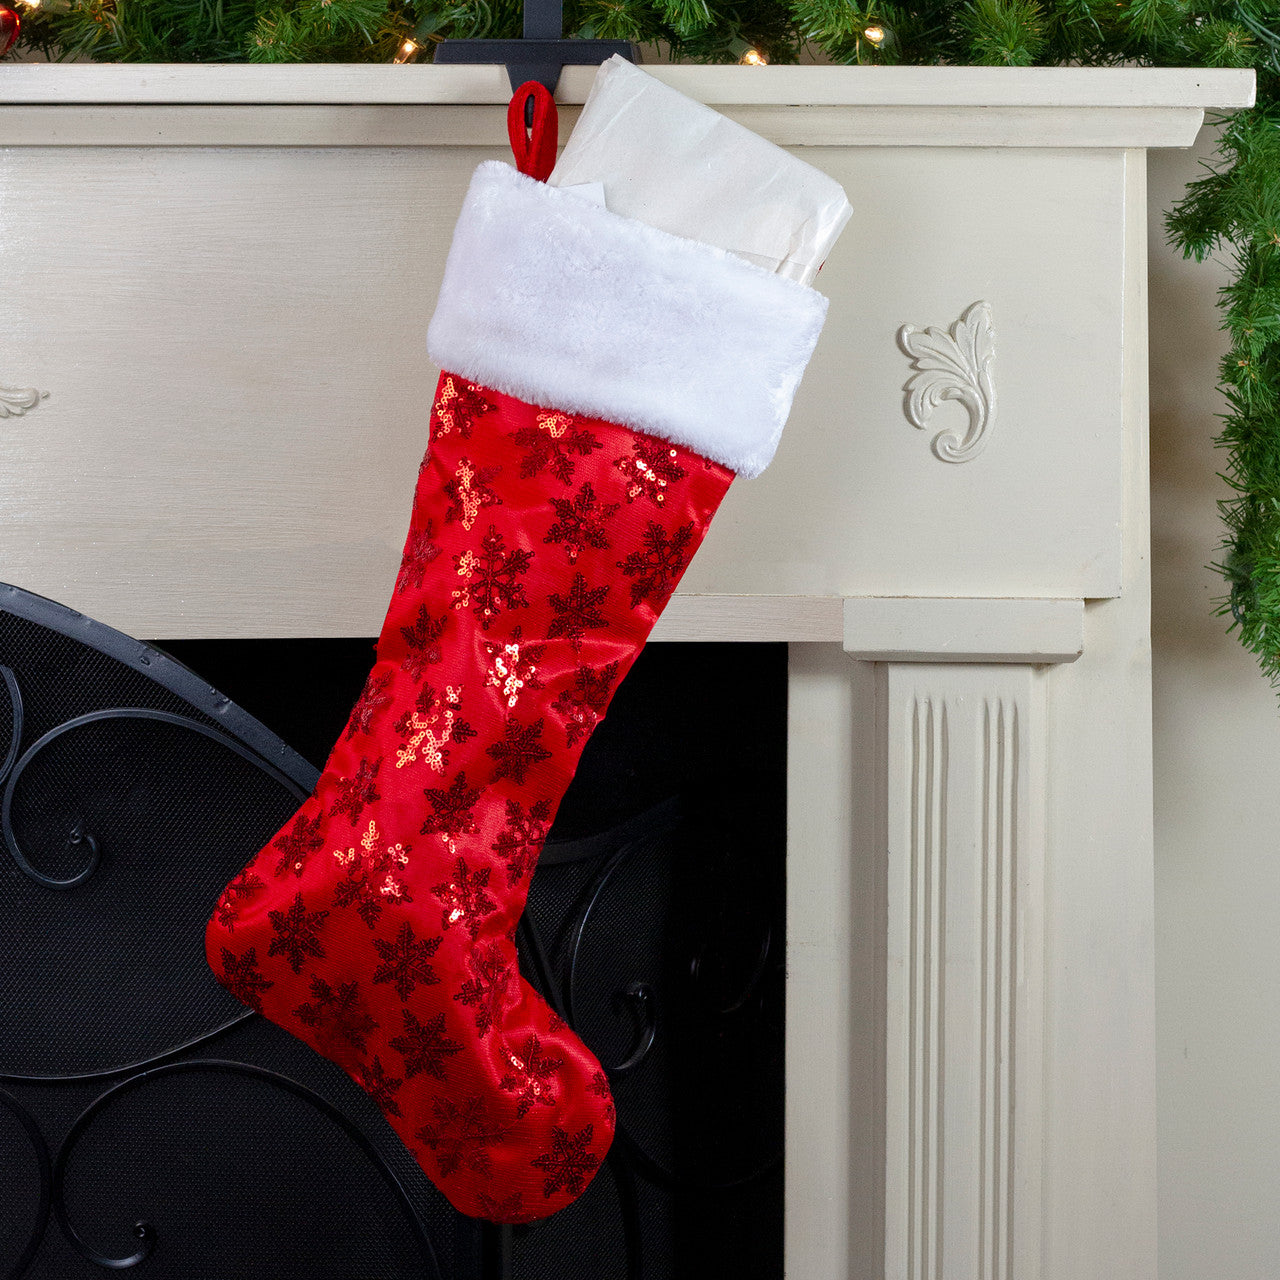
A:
{"points": [[150, 1122]]}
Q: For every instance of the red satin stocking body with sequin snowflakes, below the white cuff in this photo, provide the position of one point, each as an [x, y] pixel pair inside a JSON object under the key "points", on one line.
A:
{"points": [[380, 924]]}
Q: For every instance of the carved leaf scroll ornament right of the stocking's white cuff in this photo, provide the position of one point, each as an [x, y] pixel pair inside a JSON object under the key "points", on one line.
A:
{"points": [[953, 364]]}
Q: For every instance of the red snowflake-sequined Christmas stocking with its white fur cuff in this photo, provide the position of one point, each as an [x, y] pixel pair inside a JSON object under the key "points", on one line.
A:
{"points": [[606, 382]]}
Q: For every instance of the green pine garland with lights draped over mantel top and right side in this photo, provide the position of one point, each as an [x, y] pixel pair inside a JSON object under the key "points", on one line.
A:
{"points": [[1236, 207]]}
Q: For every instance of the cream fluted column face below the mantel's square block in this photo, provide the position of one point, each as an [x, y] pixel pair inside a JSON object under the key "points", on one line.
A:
{"points": [[964, 831]]}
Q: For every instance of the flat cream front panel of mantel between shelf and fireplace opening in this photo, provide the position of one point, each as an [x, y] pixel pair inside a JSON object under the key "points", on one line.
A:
{"points": [[239, 394]]}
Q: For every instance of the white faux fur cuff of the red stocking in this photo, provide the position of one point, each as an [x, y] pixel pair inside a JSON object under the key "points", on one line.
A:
{"points": [[559, 303]]}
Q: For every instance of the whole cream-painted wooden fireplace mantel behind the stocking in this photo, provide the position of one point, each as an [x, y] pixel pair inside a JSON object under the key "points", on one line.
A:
{"points": [[214, 290]]}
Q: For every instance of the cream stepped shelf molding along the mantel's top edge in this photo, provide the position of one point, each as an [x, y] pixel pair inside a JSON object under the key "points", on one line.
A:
{"points": [[380, 106]]}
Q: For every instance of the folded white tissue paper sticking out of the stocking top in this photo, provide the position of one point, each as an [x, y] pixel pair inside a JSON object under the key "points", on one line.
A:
{"points": [[676, 164]]}
